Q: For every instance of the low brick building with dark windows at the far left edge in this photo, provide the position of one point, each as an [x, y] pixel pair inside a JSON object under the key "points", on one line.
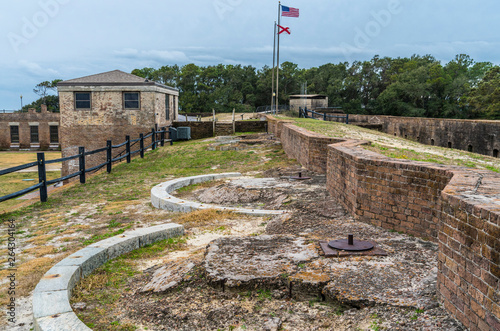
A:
{"points": [[29, 131]]}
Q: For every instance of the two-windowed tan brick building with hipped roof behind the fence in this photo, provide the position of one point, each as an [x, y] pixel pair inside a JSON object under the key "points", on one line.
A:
{"points": [[109, 106]]}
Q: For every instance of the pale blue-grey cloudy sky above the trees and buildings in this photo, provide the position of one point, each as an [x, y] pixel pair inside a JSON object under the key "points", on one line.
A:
{"points": [[64, 39]]}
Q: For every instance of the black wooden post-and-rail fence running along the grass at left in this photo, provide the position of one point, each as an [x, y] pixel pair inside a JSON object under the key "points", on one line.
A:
{"points": [[127, 154]]}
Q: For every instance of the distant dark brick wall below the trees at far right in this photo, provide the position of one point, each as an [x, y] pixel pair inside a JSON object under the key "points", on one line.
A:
{"points": [[478, 136]]}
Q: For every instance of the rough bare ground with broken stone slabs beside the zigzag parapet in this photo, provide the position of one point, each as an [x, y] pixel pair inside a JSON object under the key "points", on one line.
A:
{"points": [[395, 292]]}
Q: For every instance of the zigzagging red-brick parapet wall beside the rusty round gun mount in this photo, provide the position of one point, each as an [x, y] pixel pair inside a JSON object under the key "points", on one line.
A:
{"points": [[457, 207]]}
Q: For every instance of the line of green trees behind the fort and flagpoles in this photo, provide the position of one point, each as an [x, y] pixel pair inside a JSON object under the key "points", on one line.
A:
{"points": [[418, 86]]}
